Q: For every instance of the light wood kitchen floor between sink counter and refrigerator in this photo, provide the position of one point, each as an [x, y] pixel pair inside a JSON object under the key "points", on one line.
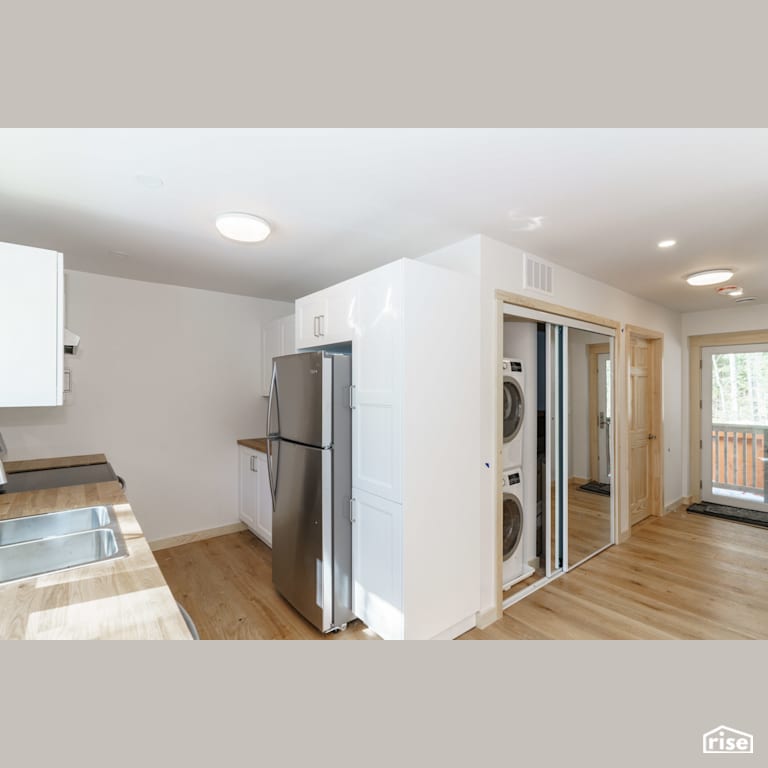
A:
{"points": [[225, 584]]}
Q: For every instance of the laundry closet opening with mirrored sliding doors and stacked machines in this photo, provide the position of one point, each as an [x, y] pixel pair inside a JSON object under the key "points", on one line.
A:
{"points": [[557, 453]]}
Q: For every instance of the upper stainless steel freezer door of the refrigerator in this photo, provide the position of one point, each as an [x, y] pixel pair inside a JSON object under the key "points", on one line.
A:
{"points": [[301, 402]]}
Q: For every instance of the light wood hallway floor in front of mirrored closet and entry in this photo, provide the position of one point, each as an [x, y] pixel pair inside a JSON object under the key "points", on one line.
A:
{"points": [[683, 576]]}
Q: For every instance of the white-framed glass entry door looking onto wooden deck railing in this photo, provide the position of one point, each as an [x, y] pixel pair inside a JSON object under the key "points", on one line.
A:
{"points": [[734, 425]]}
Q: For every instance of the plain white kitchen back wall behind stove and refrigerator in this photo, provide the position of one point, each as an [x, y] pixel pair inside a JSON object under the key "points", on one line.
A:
{"points": [[165, 381]]}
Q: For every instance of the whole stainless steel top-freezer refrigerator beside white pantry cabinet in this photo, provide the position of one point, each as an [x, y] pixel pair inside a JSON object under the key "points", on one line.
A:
{"points": [[309, 434]]}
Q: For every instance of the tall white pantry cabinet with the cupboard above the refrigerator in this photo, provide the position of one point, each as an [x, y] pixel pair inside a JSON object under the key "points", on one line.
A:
{"points": [[416, 465]]}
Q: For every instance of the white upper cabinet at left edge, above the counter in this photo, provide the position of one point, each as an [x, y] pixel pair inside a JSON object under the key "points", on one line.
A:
{"points": [[32, 319]]}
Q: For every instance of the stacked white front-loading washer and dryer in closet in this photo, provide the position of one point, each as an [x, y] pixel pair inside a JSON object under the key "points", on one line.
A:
{"points": [[516, 518]]}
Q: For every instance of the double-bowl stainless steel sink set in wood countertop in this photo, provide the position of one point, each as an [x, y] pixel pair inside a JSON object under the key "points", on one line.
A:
{"points": [[58, 541]]}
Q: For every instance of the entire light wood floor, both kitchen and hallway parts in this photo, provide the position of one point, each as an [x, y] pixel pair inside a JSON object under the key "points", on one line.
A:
{"points": [[681, 576]]}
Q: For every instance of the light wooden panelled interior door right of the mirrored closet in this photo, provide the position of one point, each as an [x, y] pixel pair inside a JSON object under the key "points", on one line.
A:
{"points": [[640, 423]]}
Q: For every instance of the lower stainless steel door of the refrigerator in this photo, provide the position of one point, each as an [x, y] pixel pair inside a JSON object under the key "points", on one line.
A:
{"points": [[302, 532]]}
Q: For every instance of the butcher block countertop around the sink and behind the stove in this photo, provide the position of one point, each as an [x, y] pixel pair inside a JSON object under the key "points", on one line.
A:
{"points": [[122, 599]]}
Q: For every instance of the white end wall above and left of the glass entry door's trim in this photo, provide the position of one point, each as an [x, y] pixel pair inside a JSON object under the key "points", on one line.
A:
{"points": [[750, 317]]}
